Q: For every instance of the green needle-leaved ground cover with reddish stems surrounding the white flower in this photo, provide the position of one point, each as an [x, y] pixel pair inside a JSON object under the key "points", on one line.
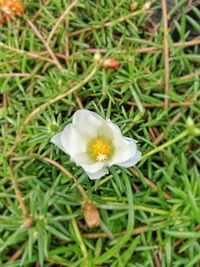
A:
{"points": [[150, 214]]}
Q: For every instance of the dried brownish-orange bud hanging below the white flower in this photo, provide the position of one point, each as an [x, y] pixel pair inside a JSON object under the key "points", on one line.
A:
{"points": [[91, 215]]}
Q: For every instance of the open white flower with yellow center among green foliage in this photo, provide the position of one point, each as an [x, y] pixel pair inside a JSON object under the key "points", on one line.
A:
{"points": [[95, 144]]}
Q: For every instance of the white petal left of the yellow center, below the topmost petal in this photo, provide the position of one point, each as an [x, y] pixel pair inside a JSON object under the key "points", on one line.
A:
{"points": [[72, 141]]}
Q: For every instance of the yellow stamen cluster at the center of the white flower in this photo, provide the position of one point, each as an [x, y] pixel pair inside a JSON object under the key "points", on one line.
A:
{"points": [[100, 149]]}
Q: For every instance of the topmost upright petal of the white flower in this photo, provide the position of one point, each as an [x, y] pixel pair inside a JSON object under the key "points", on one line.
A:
{"points": [[87, 122]]}
